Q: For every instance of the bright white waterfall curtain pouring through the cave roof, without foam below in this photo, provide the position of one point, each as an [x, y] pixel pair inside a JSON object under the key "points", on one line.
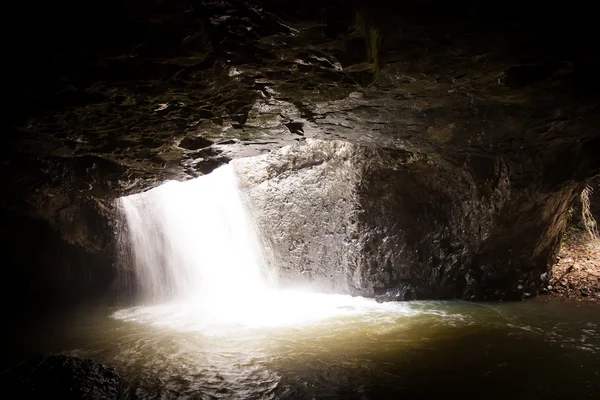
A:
{"points": [[193, 238]]}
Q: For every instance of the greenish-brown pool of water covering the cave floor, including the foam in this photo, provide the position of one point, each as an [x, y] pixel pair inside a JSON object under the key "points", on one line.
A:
{"points": [[346, 349]]}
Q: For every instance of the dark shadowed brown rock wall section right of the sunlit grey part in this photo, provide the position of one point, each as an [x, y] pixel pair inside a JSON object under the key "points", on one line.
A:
{"points": [[424, 221]]}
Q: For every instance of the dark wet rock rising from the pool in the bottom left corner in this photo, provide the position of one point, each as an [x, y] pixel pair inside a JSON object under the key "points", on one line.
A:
{"points": [[62, 377]]}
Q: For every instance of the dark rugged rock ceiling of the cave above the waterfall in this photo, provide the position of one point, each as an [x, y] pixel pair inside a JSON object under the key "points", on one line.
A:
{"points": [[130, 93]]}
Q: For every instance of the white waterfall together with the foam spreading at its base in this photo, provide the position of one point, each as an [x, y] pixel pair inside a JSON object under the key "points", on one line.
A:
{"points": [[199, 262]]}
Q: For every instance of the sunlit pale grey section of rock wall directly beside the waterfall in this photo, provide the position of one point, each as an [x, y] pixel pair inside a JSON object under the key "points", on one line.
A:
{"points": [[305, 202]]}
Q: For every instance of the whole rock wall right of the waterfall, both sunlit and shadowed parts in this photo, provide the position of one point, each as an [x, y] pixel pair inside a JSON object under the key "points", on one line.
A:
{"points": [[401, 225]]}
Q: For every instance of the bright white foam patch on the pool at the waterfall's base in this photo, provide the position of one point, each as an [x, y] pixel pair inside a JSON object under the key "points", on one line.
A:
{"points": [[271, 309]]}
